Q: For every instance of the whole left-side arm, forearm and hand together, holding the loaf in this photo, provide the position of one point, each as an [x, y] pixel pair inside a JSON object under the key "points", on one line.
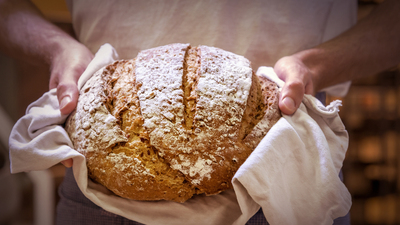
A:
{"points": [[26, 35]]}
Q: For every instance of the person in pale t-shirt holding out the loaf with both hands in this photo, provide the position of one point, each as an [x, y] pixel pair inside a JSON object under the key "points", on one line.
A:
{"points": [[296, 36]]}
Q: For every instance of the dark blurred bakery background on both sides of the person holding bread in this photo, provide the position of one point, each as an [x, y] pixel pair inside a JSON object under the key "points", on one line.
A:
{"points": [[370, 112]]}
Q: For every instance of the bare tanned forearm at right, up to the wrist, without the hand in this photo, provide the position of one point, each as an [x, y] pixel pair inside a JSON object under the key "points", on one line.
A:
{"points": [[371, 46]]}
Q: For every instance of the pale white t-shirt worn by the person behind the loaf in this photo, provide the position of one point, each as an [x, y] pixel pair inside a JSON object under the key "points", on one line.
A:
{"points": [[261, 30]]}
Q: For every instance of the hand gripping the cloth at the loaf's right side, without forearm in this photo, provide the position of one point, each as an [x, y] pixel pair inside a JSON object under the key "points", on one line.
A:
{"points": [[298, 81]]}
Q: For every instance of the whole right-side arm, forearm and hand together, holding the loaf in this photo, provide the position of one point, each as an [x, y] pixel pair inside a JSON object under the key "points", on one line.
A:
{"points": [[370, 47]]}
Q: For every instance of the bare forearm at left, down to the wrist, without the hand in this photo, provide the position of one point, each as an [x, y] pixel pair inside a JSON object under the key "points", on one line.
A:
{"points": [[26, 35]]}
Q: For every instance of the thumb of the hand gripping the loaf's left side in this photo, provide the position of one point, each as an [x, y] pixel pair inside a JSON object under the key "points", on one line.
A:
{"points": [[67, 94]]}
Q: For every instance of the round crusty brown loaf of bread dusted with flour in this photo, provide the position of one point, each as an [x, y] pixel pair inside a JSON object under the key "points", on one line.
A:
{"points": [[174, 122]]}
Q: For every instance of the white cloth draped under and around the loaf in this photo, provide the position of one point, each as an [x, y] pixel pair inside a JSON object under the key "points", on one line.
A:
{"points": [[292, 174]]}
